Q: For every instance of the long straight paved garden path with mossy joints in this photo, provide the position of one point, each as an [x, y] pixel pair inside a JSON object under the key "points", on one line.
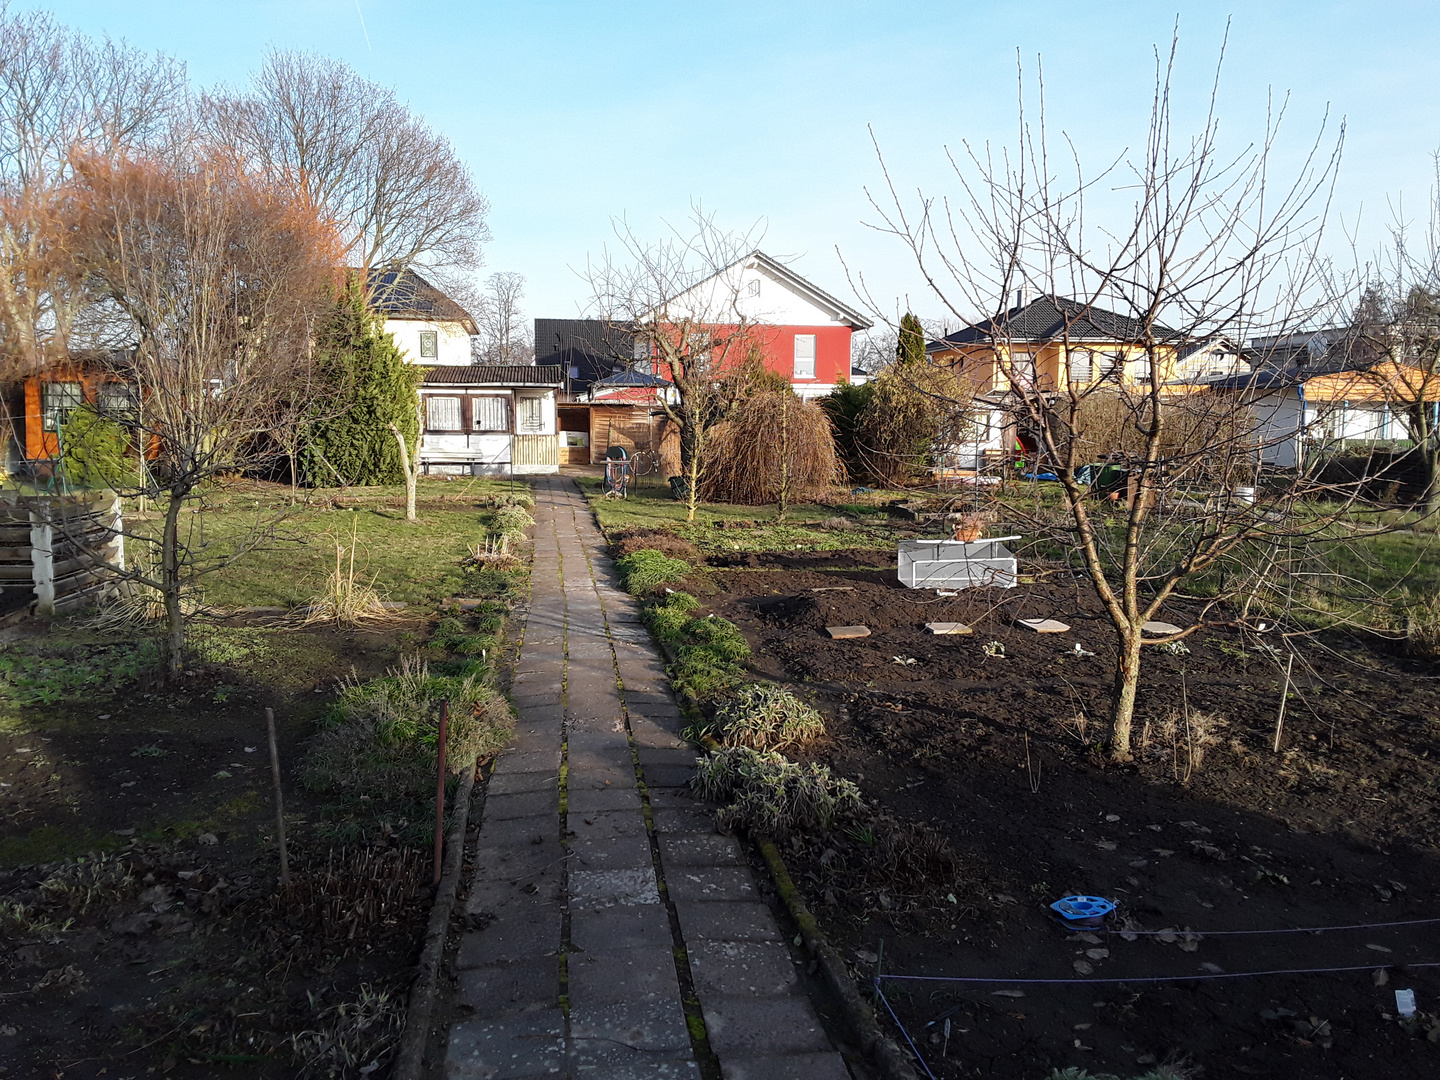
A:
{"points": [[617, 924]]}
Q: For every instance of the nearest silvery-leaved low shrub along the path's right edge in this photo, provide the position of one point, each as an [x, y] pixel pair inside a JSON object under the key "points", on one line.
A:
{"points": [[764, 793]]}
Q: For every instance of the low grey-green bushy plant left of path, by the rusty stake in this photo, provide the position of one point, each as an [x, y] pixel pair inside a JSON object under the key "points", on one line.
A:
{"points": [[382, 735]]}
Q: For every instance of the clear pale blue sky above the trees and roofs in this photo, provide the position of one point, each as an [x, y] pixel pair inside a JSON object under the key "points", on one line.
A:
{"points": [[574, 113]]}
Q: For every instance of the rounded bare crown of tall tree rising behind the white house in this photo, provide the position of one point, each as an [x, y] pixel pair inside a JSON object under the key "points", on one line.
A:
{"points": [[348, 148]]}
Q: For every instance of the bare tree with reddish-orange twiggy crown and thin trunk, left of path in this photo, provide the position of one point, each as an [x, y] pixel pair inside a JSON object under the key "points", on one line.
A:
{"points": [[217, 283]]}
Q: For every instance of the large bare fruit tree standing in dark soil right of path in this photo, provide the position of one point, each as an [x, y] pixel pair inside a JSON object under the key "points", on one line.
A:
{"points": [[1210, 244]]}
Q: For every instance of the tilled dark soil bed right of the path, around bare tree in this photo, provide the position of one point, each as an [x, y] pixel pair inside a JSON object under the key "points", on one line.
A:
{"points": [[999, 754]]}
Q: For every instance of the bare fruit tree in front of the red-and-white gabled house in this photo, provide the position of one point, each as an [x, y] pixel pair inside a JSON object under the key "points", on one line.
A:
{"points": [[680, 297]]}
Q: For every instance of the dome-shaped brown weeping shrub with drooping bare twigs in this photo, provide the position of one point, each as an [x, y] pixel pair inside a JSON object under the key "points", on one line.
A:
{"points": [[771, 444]]}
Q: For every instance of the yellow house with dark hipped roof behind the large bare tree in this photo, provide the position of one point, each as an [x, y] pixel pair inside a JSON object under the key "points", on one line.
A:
{"points": [[1042, 345]]}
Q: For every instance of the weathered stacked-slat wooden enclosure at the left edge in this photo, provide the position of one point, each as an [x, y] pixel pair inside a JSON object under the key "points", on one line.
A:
{"points": [[61, 548]]}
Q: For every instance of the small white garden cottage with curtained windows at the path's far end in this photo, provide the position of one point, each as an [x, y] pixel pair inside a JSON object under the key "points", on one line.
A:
{"points": [[489, 420]]}
